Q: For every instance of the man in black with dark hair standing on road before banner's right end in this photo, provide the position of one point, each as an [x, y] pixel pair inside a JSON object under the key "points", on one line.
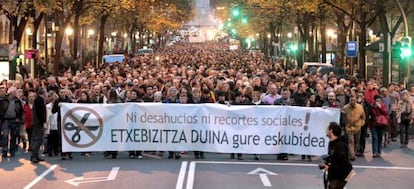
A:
{"points": [[337, 164]]}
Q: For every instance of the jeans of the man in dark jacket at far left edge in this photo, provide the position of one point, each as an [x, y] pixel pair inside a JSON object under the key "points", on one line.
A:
{"points": [[12, 127]]}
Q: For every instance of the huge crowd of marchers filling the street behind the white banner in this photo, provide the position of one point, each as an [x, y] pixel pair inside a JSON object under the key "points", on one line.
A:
{"points": [[202, 73]]}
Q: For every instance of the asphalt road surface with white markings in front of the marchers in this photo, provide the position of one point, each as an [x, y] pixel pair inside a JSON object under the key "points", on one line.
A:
{"points": [[394, 170]]}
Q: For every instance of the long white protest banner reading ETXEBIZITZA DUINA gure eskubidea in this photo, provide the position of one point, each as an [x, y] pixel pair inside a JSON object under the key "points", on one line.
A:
{"points": [[196, 127]]}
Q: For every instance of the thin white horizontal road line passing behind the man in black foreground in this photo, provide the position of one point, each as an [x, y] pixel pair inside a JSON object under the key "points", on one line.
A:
{"points": [[302, 165]]}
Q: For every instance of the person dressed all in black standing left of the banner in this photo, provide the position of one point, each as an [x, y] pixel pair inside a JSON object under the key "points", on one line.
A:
{"points": [[38, 120]]}
